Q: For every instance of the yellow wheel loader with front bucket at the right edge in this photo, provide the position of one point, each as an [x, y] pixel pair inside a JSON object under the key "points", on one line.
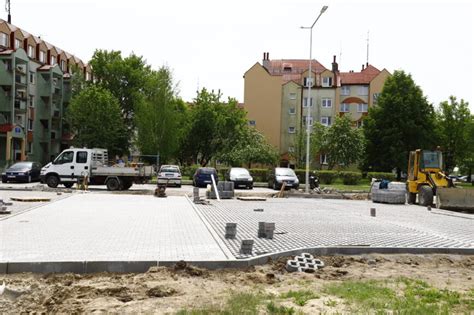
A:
{"points": [[427, 179]]}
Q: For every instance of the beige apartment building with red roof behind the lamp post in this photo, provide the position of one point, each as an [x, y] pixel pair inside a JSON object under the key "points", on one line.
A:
{"points": [[276, 98]]}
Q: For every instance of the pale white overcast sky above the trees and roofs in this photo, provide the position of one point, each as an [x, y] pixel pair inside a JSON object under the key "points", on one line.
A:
{"points": [[212, 43]]}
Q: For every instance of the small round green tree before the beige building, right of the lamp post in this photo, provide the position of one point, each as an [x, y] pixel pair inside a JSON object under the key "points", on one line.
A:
{"points": [[343, 144]]}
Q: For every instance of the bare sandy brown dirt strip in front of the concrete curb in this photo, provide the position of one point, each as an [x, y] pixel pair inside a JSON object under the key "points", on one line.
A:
{"points": [[169, 290]]}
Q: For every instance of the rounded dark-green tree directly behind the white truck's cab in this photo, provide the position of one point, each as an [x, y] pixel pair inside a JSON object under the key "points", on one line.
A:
{"points": [[95, 118]]}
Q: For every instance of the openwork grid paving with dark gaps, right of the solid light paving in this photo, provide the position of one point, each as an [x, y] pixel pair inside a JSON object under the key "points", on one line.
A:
{"points": [[307, 223]]}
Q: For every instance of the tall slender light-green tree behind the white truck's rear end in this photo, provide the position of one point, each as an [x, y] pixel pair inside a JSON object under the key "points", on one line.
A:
{"points": [[159, 116]]}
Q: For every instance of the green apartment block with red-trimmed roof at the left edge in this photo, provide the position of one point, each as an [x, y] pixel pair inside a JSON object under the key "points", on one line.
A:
{"points": [[35, 90]]}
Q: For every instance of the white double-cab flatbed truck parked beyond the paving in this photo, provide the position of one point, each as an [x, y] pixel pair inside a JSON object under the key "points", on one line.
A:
{"points": [[76, 164]]}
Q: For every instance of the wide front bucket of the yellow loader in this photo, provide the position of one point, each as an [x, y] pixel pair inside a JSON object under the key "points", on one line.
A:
{"points": [[455, 199]]}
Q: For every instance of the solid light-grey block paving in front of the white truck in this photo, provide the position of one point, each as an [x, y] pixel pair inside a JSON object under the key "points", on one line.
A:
{"points": [[104, 227]]}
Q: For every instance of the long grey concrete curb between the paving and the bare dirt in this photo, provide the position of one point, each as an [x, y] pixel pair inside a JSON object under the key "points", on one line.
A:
{"points": [[142, 266]]}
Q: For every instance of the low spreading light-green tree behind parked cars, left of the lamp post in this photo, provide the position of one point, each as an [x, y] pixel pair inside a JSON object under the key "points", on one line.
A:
{"points": [[252, 147]]}
